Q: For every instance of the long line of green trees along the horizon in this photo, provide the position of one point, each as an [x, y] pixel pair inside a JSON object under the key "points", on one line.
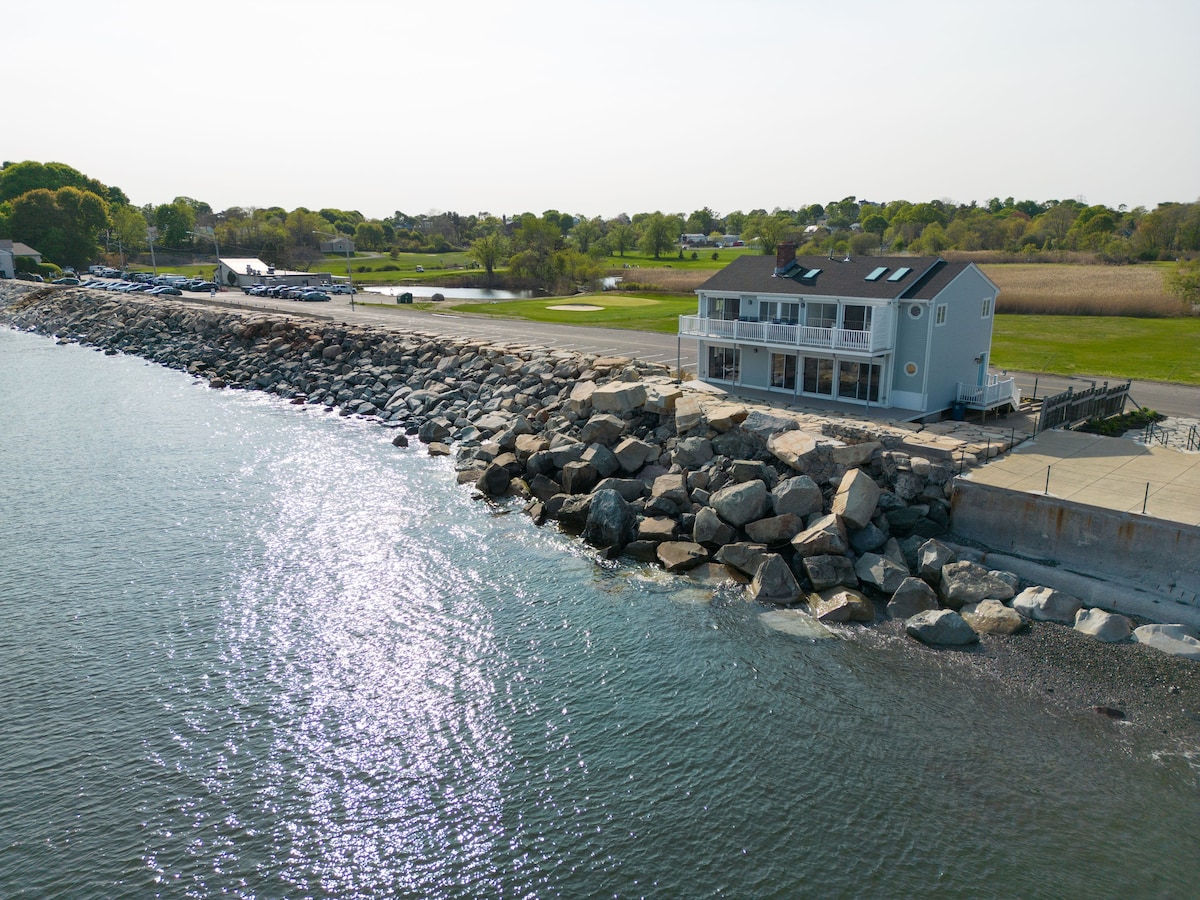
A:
{"points": [[74, 220]]}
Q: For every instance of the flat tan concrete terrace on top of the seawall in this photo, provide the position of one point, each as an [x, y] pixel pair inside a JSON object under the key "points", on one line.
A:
{"points": [[1112, 473]]}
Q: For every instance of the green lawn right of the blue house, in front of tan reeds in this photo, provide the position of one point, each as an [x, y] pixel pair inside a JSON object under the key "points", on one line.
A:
{"points": [[1111, 346]]}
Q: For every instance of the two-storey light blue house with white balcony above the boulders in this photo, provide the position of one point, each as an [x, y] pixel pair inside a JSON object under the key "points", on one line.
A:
{"points": [[910, 334]]}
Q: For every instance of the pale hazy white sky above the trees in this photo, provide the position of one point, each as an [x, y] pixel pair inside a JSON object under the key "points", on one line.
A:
{"points": [[599, 107]]}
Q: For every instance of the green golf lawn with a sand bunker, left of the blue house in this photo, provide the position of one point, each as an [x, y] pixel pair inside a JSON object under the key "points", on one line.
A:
{"points": [[657, 313]]}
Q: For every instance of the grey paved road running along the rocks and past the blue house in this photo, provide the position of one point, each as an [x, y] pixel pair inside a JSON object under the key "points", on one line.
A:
{"points": [[1175, 400]]}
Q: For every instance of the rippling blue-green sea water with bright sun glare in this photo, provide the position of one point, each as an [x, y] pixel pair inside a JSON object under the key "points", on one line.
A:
{"points": [[251, 650]]}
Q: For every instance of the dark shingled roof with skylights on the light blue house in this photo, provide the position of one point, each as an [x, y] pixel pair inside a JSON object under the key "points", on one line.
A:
{"points": [[838, 278]]}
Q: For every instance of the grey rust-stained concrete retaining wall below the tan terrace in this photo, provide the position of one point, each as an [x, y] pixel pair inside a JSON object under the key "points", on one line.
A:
{"points": [[1161, 556]]}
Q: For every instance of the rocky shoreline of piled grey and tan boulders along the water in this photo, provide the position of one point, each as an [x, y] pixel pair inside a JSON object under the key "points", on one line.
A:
{"points": [[829, 519]]}
